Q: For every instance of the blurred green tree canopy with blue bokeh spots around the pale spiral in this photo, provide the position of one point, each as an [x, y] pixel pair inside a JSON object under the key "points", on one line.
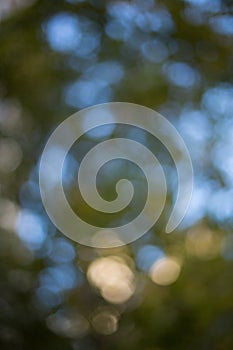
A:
{"points": [[169, 291]]}
